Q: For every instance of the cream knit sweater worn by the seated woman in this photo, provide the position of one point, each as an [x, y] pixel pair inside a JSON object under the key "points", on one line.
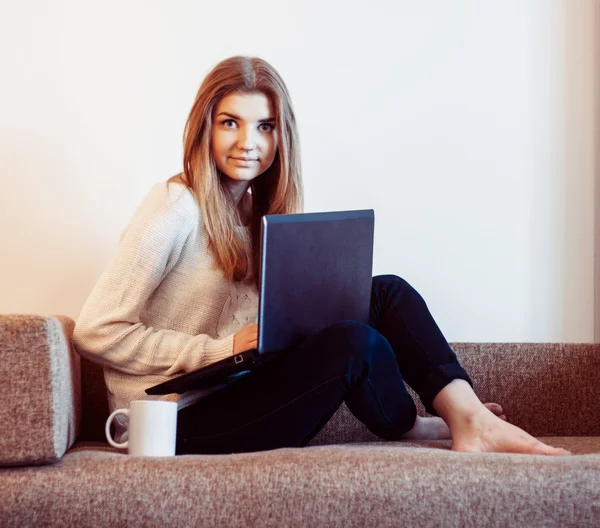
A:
{"points": [[161, 307]]}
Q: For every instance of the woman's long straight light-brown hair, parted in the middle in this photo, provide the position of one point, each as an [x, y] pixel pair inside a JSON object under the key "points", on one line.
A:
{"points": [[278, 190]]}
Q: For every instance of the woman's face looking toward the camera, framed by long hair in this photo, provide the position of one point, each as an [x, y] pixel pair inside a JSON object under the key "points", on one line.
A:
{"points": [[244, 138]]}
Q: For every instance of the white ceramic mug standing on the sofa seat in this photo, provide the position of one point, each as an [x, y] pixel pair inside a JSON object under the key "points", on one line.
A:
{"points": [[152, 428]]}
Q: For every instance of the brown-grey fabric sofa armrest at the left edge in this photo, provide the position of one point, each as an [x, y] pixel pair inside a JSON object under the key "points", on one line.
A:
{"points": [[40, 389]]}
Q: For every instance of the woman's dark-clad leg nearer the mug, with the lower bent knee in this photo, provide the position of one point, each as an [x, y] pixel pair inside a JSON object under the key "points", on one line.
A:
{"points": [[285, 402]]}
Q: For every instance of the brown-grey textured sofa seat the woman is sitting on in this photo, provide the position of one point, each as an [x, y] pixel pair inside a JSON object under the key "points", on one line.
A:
{"points": [[414, 484]]}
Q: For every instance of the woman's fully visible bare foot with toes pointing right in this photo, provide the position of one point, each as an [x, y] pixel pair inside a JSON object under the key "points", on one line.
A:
{"points": [[483, 431]]}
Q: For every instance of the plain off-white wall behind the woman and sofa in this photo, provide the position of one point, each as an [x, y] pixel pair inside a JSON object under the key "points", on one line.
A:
{"points": [[467, 125]]}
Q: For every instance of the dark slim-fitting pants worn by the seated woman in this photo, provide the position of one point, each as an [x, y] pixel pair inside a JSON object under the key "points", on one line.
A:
{"points": [[285, 402]]}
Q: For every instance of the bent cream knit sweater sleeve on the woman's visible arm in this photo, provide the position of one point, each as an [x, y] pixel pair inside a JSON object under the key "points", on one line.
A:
{"points": [[109, 330]]}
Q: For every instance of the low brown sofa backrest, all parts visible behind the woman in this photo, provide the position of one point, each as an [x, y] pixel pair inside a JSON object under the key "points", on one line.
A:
{"points": [[548, 389]]}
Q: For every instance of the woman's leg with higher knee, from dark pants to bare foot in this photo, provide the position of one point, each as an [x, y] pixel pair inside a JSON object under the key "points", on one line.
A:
{"points": [[431, 368]]}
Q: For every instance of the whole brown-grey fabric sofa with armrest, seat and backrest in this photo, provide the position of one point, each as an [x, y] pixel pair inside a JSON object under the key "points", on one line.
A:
{"points": [[58, 469]]}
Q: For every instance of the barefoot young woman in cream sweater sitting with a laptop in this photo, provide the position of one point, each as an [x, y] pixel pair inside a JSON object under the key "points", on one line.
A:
{"points": [[181, 292]]}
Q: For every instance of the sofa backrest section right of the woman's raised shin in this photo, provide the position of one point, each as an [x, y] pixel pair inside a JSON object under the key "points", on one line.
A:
{"points": [[548, 389]]}
